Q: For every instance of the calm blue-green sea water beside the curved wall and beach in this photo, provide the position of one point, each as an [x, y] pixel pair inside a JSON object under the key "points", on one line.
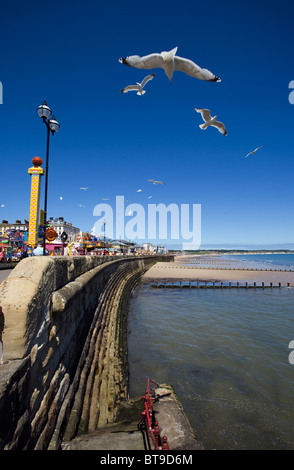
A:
{"points": [[226, 353]]}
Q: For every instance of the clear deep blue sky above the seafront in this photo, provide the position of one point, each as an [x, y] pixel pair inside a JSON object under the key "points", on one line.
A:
{"points": [[112, 143]]}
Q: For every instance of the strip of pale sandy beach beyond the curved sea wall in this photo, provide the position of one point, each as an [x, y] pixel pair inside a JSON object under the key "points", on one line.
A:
{"points": [[176, 271]]}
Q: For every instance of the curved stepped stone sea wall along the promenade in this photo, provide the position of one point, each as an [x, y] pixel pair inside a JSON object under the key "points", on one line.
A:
{"points": [[65, 368]]}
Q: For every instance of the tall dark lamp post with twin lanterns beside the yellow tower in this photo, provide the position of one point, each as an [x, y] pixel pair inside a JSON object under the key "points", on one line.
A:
{"points": [[53, 126]]}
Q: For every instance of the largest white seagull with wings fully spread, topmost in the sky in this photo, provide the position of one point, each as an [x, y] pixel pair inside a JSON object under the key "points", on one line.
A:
{"points": [[170, 63]]}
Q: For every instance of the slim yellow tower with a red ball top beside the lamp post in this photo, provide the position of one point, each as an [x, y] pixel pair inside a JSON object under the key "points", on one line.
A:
{"points": [[36, 171]]}
